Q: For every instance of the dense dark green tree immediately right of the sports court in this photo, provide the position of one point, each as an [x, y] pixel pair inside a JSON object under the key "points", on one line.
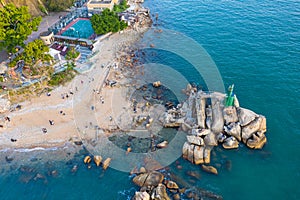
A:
{"points": [[107, 21]]}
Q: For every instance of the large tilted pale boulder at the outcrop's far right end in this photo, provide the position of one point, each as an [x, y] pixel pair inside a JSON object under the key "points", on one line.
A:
{"points": [[251, 128]]}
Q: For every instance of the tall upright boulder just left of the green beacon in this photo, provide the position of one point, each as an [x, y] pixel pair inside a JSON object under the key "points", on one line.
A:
{"points": [[217, 116]]}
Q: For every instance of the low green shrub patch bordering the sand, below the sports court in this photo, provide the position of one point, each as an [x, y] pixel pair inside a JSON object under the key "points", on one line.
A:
{"points": [[64, 76]]}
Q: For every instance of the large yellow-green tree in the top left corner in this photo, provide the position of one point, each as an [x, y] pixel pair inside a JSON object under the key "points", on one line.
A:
{"points": [[16, 25]]}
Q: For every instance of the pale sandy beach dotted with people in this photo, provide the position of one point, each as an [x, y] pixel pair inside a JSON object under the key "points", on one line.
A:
{"points": [[77, 107]]}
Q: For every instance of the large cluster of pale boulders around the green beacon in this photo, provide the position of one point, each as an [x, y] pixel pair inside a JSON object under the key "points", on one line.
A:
{"points": [[208, 122]]}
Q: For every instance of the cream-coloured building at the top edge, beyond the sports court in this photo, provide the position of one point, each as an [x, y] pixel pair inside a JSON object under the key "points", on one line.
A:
{"points": [[99, 5]]}
